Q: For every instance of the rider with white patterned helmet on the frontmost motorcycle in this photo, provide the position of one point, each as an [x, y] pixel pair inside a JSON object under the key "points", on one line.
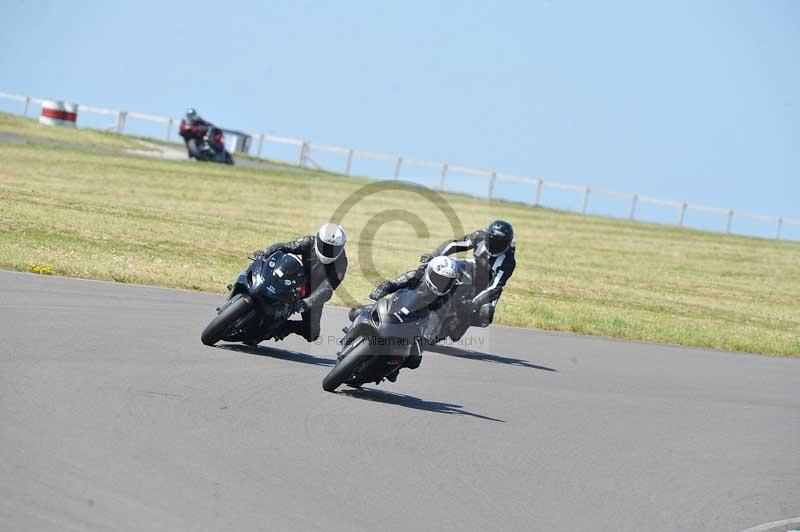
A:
{"points": [[435, 281]]}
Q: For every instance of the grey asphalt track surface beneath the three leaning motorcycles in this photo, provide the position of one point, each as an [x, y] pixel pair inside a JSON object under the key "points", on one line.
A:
{"points": [[113, 416]]}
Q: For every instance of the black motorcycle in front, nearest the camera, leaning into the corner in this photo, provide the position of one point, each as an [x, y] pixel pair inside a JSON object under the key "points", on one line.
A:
{"points": [[379, 339]]}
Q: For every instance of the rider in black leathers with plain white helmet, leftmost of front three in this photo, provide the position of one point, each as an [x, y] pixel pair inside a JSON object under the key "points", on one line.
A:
{"points": [[325, 264]]}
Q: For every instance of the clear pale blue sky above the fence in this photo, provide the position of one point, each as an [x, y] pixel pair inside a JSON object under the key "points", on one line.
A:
{"points": [[690, 101]]}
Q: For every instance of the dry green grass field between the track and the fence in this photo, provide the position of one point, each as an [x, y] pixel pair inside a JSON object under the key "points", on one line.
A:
{"points": [[106, 215]]}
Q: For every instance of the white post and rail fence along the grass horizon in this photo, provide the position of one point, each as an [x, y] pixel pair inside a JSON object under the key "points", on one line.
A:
{"points": [[306, 148]]}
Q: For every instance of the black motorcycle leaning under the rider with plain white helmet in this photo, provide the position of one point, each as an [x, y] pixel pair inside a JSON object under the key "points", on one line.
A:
{"points": [[260, 301]]}
